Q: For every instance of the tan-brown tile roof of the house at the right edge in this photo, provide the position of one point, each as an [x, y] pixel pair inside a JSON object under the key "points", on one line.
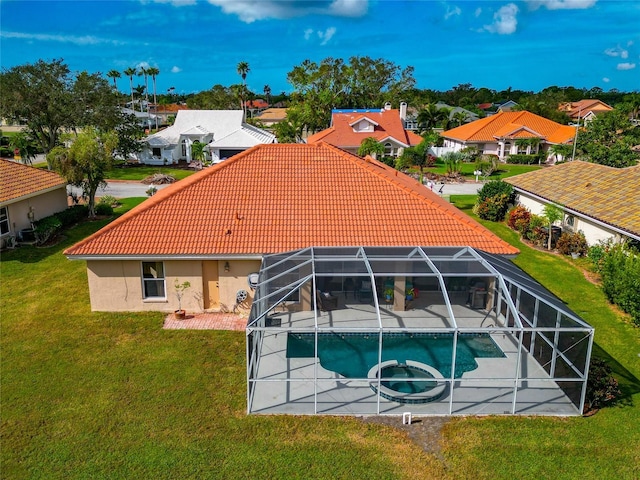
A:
{"points": [[611, 195]]}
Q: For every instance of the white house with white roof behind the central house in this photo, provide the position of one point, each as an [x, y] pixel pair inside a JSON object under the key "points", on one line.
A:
{"points": [[223, 131]]}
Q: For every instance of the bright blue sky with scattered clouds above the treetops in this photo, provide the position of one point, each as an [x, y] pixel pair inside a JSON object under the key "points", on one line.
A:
{"points": [[528, 44]]}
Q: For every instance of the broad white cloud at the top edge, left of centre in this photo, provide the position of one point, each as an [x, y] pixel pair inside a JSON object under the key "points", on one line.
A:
{"points": [[249, 11]]}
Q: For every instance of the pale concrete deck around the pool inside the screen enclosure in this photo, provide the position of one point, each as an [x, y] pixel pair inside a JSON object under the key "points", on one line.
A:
{"points": [[286, 385]]}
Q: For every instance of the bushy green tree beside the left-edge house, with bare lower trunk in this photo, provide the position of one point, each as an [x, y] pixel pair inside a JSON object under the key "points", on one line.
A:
{"points": [[85, 162]]}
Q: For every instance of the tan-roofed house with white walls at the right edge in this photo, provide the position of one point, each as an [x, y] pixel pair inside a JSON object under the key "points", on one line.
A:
{"points": [[602, 202]]}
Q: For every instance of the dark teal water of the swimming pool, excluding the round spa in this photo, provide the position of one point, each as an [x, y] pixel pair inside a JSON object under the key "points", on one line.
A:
{"points": [[352, 355]]}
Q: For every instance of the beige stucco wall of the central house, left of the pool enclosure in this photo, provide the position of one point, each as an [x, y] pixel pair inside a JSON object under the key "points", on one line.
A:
{"points": [[116, 285]]}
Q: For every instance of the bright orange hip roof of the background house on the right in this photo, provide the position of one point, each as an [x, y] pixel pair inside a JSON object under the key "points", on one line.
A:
{"points": [[496, 126]]}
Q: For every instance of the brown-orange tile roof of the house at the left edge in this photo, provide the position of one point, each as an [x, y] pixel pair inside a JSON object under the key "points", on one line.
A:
{"points": [[18, 180]]}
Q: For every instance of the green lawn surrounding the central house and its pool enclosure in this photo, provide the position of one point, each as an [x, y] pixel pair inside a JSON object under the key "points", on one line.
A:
{"points": [[112, 395]]}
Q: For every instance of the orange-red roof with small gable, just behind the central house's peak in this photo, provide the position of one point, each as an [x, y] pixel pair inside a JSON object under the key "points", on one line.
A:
{"points": [[387, 124]]}
